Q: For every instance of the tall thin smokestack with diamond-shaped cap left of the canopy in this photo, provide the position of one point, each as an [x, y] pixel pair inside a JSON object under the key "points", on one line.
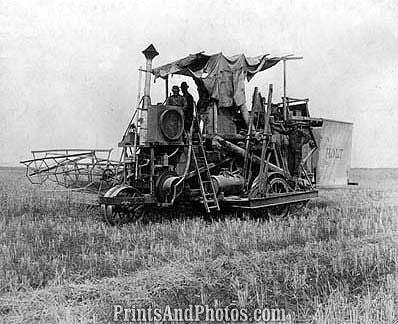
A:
{"points": [[150, 53]]}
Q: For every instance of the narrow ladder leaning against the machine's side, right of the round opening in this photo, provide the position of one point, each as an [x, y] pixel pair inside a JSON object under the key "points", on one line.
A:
{"points": [[207, 189]]}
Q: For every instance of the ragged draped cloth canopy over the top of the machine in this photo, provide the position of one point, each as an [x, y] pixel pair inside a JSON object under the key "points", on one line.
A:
{"points": [[223, 77]]}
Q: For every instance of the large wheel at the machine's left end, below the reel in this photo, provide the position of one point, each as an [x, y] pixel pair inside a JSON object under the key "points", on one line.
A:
{"points": [[122, 214]]}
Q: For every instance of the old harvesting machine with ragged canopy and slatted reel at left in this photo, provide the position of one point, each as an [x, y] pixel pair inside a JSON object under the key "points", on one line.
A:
{"points": [[229, 159]]}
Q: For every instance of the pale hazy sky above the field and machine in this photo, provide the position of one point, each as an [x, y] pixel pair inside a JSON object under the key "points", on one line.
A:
{"points": [[69, 69]]}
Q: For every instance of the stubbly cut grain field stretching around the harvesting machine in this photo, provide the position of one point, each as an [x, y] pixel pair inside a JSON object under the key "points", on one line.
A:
{"points": [[334, 261]]}
